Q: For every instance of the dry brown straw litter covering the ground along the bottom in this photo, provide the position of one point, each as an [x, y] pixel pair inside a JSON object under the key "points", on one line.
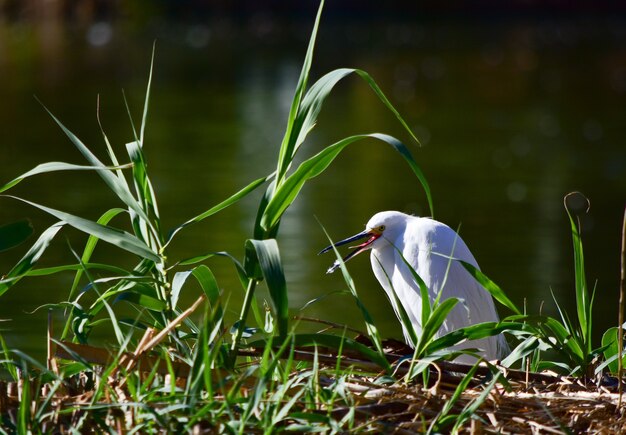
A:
{"points": [[524, 403]]}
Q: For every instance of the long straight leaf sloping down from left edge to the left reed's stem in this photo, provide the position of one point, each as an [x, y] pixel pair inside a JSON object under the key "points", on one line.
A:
{"points": [[114, 236]]}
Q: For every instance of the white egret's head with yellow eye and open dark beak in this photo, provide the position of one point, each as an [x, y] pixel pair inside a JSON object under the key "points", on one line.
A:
{"points": [[381, 228]]}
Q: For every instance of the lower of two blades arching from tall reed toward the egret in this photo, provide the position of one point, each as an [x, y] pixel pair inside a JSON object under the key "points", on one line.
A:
{"points": [[314, 166]]}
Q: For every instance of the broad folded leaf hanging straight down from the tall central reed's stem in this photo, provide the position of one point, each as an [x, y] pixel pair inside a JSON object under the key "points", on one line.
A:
{"points": [[268, 258]]}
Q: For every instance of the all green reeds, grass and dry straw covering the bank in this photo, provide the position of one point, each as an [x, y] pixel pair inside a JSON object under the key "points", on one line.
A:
{"points": [[169, 372]]}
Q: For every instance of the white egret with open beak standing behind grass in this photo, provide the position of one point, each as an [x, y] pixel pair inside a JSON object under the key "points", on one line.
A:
{"points": [[431, 248]]}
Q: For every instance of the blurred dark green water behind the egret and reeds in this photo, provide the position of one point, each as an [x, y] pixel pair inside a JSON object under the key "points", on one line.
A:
{"points": [[514, 107]]}
